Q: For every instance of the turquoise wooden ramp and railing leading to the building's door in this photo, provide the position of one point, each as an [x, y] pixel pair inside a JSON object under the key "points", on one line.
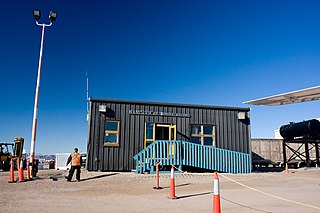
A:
{"points": [[182, 153]]}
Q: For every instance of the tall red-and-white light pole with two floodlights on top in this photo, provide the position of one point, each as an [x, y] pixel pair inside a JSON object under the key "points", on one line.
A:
{"points": [[52, 17]]}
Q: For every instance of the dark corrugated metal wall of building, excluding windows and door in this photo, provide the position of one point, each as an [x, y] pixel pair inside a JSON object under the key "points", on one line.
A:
{"points": [[231, 133]]}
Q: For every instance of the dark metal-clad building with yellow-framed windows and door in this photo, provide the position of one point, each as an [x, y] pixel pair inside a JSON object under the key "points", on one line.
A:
{"points": [[120, 129]]}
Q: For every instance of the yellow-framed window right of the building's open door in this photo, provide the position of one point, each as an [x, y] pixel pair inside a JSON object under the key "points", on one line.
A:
{"points": [[203, 134]]}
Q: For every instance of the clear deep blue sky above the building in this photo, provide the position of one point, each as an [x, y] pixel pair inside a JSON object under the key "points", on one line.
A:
{"points": [[199, 52]]}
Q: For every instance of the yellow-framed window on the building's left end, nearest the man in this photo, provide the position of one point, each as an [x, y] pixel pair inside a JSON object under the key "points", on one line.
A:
{"points": [[112, 132]]}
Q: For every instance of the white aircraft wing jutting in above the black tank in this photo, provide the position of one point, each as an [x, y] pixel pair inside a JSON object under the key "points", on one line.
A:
{"points": [[309, 94]]}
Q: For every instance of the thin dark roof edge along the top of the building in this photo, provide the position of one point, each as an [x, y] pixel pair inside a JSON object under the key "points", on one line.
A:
{"points": [[168, 104]]}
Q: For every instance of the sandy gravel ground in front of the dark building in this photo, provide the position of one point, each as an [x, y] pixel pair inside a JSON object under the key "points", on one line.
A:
{"points": [[129, 192]]}
